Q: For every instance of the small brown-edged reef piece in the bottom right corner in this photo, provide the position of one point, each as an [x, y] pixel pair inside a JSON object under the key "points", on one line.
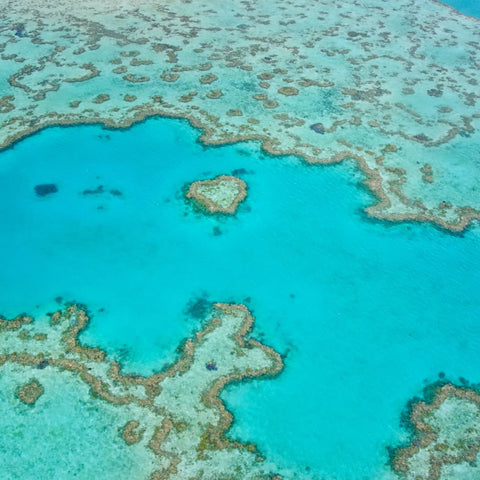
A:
{"points": [[446, 437]]}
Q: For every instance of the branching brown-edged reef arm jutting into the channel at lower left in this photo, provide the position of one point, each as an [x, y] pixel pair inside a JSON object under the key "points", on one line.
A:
{"points": [[175, 417]]}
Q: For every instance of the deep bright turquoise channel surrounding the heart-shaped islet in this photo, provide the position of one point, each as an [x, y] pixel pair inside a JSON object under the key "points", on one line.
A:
{"points": [[366, 312]]}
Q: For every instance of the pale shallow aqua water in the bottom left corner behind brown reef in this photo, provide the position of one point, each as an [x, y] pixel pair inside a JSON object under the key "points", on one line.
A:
{"points": [[62, 435]]}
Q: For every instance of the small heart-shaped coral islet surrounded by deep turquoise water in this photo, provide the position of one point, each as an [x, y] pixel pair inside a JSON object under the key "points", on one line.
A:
{"points": [[222, 194]]}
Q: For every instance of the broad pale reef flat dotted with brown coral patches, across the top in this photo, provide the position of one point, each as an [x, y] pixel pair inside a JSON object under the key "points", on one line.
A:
{"points": [[391, 86]]}
